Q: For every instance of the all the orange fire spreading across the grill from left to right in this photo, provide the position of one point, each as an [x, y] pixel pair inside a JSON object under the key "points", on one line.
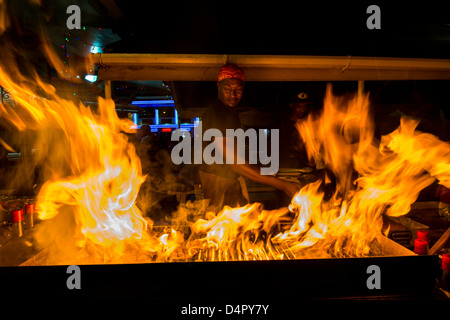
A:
{"points": [[93, 176]]}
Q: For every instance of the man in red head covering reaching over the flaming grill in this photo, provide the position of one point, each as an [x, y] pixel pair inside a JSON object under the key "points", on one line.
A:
{"points": [[221, 183]]}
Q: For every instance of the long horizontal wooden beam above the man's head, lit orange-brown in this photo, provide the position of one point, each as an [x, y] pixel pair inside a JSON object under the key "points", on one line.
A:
{"points": [[179, 67]]}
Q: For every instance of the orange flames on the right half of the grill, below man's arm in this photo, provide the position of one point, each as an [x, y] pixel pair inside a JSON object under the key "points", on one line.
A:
{"points": [[372, 178]]}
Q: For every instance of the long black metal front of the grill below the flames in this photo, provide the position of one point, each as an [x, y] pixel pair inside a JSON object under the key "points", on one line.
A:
{"points": [[402, 275]]}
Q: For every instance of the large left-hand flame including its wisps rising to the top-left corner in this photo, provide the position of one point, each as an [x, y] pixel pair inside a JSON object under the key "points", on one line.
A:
{"points": [[91, 172]]}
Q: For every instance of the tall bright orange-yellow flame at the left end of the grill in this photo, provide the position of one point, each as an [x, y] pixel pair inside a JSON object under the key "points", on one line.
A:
{"points": [[91, 168]]}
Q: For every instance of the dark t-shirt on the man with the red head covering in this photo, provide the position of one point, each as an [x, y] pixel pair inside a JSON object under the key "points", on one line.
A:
{"points": [[221, 117]]}
